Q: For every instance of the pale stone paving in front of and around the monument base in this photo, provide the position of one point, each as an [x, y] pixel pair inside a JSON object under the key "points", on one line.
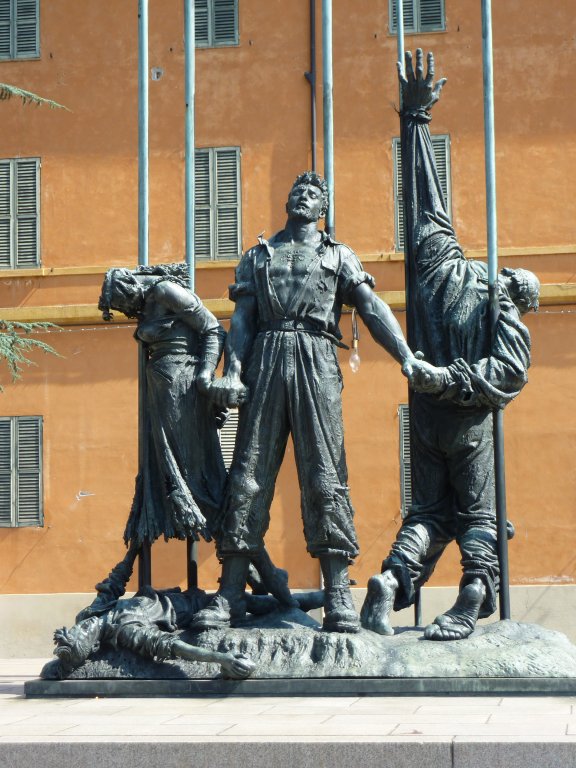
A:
{"points": [[456, 732]]}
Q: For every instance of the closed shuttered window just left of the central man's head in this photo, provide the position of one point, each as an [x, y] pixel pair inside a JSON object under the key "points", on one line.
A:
{"points": [[217, 208]]}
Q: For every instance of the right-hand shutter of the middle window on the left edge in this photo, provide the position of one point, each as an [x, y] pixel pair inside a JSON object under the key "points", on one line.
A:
{"points": [[27, 173]]}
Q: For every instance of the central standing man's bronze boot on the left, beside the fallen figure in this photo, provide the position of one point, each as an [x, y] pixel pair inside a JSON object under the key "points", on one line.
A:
{"points": [[228, 604]]}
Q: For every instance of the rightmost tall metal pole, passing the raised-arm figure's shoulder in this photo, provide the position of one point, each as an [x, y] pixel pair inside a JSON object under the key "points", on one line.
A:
{"points": [[492, 235]]}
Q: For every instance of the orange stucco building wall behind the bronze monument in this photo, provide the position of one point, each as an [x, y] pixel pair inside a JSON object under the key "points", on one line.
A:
{"points": [[255, 96]]}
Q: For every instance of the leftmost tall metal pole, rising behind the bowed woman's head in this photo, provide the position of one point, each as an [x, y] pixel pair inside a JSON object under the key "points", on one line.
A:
{"points": [[144, 558]]}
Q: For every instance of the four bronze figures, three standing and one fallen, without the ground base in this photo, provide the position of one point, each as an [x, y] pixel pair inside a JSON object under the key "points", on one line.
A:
{"points": [[281, 370]]}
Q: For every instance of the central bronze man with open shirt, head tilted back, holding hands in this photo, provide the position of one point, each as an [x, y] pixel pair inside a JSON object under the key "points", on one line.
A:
{"points": [[281, 367]]}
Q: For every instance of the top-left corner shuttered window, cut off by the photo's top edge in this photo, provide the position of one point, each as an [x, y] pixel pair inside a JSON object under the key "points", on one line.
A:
{"points": [[19, 29]]}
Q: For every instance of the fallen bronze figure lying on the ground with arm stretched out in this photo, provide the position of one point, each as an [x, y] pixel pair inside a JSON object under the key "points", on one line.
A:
{"points": [[146, 624]]}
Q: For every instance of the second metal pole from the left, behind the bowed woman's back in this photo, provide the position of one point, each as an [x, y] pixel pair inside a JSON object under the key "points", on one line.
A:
{"points": [[189, 201]]}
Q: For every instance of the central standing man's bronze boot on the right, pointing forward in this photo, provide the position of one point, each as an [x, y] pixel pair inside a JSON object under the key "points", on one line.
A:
{"points": [[339, 612]]}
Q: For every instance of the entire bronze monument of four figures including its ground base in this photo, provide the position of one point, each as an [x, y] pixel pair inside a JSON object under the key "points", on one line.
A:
{"points": [[281, 370]]}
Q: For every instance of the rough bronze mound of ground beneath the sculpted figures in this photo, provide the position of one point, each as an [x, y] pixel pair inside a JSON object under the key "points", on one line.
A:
{"points": [[291, 645]]}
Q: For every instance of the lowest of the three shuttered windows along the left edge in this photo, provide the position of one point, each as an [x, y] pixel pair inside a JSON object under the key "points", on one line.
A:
{"points": [[21, 471]]}
